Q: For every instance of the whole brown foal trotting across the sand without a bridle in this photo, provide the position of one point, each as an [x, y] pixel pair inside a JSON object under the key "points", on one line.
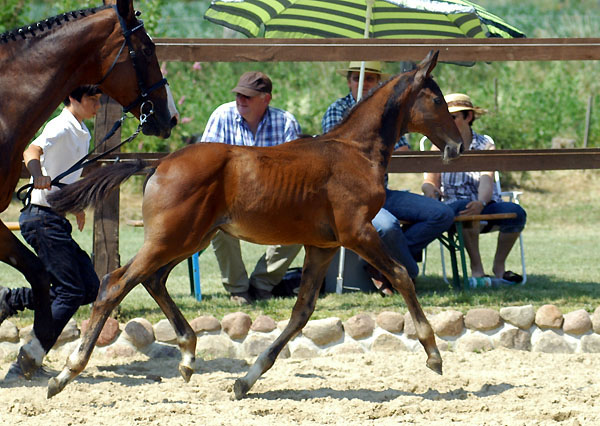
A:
{"points": [[322, 192]]}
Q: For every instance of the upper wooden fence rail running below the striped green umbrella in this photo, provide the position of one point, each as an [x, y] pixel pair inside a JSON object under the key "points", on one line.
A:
{"points": [[343, 49]]}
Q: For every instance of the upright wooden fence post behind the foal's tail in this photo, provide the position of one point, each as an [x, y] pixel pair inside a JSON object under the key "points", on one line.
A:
{"points": [[106, 216]]}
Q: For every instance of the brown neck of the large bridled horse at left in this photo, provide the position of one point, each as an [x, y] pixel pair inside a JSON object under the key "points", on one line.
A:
{"points": [[40, 71]]}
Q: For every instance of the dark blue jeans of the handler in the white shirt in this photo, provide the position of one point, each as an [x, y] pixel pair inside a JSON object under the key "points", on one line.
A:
{"points": [[73, 279]]}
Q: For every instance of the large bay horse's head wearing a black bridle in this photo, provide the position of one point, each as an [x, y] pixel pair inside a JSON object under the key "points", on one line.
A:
{"points": [[133, 77]]}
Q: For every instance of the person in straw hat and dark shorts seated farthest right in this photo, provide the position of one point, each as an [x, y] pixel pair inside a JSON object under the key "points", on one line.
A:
{"points": [[471, 193]]}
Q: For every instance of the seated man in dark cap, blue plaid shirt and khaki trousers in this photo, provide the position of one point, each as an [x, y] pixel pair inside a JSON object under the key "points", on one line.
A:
{"points": [[250, 121]]}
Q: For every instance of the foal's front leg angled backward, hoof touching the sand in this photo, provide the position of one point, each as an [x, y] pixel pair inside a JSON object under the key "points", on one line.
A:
{"points": [[316, 262]]}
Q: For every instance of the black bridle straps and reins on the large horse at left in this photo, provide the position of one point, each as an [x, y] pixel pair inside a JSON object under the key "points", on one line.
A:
{"points": [[24, 193]]}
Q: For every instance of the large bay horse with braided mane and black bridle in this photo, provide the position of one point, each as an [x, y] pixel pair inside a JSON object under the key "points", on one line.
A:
{"points": [[40, 65]]}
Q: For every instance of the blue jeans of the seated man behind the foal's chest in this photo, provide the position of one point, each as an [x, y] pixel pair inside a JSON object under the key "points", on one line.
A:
{"points": [[429, 218]]}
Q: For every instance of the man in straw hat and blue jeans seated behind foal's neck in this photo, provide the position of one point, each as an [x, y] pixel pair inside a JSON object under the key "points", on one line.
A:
{"points": [[428, 217]]}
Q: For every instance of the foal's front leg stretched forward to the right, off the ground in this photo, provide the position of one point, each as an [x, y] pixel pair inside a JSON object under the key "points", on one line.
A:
{"points": [[372, 249]]}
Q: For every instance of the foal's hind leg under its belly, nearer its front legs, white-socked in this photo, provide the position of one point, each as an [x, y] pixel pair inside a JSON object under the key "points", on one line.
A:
{"points": [[186, 338]]}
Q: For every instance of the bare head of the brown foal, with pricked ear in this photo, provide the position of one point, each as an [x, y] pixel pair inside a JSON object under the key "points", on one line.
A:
{"points": [[429, 113]]}
